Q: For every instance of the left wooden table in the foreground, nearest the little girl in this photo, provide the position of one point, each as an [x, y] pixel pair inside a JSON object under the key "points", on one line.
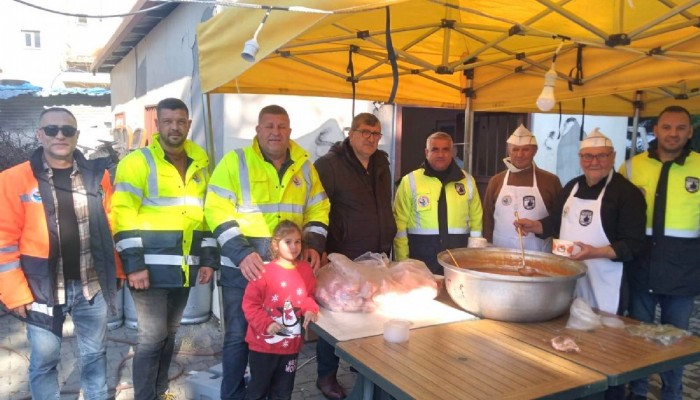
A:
{"points": [[456, 361]]}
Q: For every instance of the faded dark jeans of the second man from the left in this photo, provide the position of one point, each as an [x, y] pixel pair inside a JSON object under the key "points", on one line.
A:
{"points": [[158, 314]]}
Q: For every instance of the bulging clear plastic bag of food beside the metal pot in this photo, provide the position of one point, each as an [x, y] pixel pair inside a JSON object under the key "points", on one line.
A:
{"points": [[371, 281]]}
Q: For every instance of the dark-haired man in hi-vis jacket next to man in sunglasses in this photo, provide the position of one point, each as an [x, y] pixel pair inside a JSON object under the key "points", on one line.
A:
{"points": [[162, 239]]}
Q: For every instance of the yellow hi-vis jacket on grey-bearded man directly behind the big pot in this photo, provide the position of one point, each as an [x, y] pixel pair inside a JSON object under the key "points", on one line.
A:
{"points": [[416, 208]]}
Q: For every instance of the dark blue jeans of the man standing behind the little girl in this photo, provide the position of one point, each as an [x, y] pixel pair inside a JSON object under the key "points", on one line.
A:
{"points": [[235, 351]]}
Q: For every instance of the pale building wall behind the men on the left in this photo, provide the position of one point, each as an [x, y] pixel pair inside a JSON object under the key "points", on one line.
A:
{"points": [[164, 64]]}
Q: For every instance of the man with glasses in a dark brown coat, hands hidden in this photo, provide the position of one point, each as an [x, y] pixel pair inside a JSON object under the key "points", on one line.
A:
{"points": [[357, 180]]}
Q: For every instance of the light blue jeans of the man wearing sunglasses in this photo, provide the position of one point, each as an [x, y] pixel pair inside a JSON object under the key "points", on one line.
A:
{"points": [[90, 321]]}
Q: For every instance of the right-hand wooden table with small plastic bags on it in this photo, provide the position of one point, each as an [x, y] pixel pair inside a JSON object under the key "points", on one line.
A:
{"points": [[612, 352]]}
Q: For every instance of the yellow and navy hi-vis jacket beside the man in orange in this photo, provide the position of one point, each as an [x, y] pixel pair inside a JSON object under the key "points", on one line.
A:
{"points": [[160, 219]]}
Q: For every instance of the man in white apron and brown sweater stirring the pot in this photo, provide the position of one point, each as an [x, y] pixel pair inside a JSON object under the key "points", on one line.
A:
{"points": [[522, 187]]}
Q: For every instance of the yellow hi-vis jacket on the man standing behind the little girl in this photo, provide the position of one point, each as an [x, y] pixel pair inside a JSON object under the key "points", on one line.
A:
{"points": [[247, 200]]}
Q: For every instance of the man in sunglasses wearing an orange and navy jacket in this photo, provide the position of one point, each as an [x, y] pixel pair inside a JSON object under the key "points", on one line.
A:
{"points": [[56, 254]]}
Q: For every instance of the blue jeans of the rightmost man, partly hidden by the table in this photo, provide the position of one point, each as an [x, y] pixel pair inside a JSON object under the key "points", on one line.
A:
{"points": [[675, 310]]}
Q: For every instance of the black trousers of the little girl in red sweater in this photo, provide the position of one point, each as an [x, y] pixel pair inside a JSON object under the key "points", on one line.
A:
{"points": [[271, 375]]}
